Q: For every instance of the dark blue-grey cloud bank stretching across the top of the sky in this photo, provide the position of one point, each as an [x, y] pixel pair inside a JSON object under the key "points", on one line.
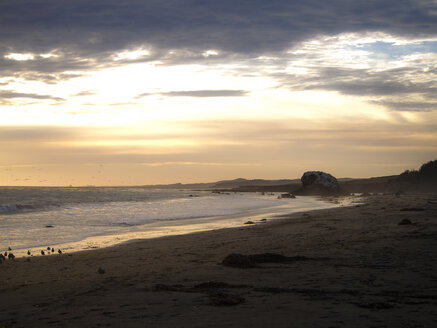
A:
{"points": [[86, 34]]}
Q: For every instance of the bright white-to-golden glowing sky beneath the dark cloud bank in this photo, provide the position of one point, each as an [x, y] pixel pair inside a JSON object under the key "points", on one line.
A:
{"points": [[243, 116]]}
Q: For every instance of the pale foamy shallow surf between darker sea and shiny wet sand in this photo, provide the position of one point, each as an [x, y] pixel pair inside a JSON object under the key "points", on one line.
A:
{"points": [[72, 222]]}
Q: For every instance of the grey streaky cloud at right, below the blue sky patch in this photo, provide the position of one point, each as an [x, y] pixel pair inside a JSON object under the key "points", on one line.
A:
{"points": [[395, 85]]}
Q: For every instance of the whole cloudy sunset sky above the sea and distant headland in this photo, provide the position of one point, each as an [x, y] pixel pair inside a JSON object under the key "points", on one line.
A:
{"points": [[138, 92]]}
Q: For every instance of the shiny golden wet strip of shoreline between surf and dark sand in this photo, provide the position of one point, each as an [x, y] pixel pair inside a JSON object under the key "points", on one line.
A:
{"points": [[176, 227]]}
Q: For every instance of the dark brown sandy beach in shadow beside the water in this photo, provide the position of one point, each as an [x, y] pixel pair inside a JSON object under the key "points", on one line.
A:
{"points": [[362, 270]]}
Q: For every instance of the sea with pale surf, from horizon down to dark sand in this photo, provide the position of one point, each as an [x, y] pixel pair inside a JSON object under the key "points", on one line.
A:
{"points": [[74, 219]]}
